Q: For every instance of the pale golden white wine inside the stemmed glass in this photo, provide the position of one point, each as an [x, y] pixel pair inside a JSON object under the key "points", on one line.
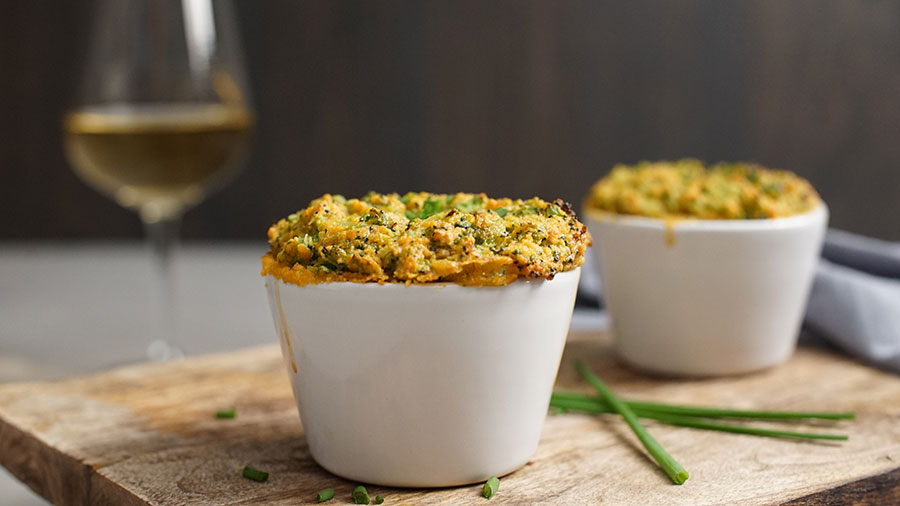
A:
{"points": [[158, 159]]}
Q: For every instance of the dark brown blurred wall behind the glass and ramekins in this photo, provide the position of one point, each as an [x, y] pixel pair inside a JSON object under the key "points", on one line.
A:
{"points": [[509, 97]]}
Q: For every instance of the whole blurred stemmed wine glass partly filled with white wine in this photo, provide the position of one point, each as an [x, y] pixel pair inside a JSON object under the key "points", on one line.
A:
{"points": [[160, 119]]}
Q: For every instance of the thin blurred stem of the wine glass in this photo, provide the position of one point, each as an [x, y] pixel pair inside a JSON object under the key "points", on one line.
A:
{"points": [[162, 238]]}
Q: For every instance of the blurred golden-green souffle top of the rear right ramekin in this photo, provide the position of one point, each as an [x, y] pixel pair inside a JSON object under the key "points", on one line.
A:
{"points": [[687, 189]]}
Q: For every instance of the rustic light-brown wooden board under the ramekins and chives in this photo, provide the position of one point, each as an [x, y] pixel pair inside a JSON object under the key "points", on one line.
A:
{"points": [[146, 434]]}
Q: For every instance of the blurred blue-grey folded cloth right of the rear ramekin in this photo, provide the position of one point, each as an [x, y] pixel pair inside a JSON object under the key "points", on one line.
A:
{"points": [[855, 299]]}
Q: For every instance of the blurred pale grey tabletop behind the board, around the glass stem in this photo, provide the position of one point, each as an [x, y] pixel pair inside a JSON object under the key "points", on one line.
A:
{"points": [[74, 307]]}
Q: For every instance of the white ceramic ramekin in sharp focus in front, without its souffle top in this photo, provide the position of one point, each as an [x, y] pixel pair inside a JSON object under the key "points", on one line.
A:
{"points": [[422, 385]]}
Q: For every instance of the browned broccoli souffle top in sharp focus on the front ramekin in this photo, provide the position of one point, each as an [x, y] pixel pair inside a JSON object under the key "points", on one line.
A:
{"points": [[462, 238]]}
